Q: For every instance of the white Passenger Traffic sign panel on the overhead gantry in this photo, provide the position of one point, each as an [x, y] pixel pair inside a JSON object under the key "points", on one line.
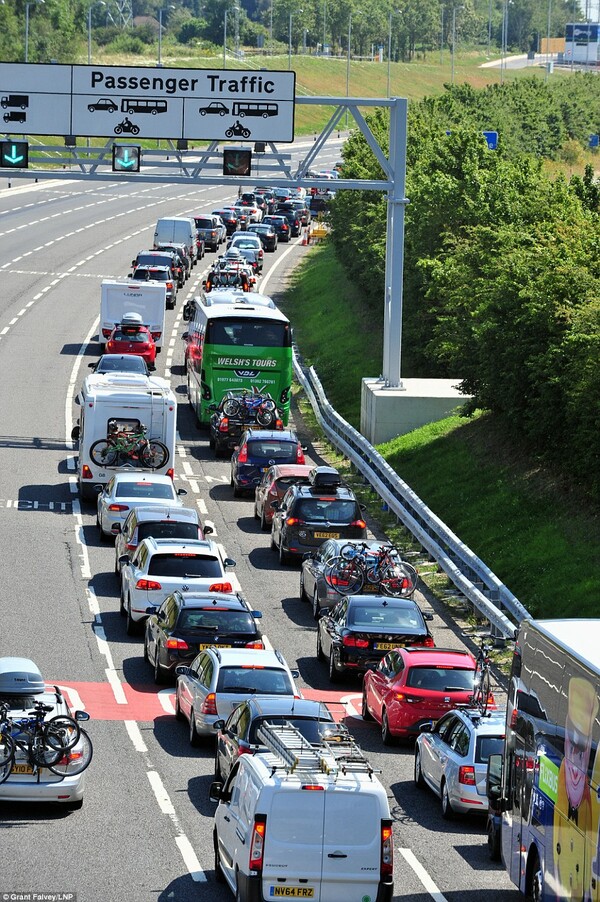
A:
{"points": [[181, 104]]}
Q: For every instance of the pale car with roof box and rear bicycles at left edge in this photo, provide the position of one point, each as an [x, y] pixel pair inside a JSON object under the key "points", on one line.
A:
{"points": [[21, 687]]}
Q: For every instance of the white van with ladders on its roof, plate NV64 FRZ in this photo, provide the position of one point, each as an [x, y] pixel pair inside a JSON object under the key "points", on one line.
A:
{"points": [[304, 822]]}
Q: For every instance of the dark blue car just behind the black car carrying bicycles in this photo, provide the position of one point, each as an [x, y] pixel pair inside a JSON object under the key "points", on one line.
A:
{"points": [[257, 451]]}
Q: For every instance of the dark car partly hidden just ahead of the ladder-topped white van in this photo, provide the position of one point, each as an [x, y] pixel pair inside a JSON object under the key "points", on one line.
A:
{"points": [[237, 735]]}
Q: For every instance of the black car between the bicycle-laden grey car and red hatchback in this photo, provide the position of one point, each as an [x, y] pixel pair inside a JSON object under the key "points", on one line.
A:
{"points": [[361, 629]]}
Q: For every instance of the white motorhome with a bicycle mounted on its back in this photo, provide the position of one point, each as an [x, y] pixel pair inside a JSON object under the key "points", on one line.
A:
{"points": [[131, 400]]}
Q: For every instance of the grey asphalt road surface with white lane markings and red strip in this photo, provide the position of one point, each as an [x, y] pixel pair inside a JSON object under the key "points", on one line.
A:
{"points": [[145, 830]]}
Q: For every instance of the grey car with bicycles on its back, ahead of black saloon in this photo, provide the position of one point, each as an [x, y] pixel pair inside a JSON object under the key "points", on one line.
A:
{"points": [[316, 588]]}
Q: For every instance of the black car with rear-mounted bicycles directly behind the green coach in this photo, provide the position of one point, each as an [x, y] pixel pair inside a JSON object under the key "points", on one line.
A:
{"points": [[236, 412]]}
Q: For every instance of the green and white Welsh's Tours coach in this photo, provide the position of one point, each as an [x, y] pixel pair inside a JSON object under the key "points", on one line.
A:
{"points": [[237, 340]]}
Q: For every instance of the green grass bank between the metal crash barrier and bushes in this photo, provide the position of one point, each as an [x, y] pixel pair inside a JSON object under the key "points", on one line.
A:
{"points": [[529, 526]]}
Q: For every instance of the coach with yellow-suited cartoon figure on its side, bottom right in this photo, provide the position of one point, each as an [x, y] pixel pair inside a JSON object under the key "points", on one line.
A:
{"points": [[544, 790]]}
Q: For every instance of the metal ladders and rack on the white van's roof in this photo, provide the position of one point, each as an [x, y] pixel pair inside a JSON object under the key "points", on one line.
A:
{"points": [[337, 754]]}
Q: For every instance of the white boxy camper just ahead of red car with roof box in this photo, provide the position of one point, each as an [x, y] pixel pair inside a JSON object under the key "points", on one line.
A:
{"points": [[119, 297]]}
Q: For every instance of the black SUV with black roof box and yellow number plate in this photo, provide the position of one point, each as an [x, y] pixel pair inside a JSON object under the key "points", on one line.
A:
{"points": [[310, 514]]}
